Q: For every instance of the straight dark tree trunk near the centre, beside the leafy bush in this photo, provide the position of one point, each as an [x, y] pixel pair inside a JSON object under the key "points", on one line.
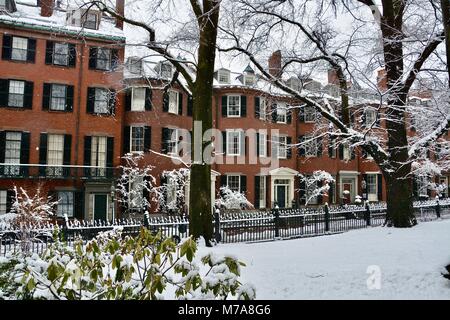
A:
{"points": [[200, 206]]}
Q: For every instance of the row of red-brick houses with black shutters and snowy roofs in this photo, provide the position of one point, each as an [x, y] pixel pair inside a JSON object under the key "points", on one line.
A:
{"points": [[67, 131]]}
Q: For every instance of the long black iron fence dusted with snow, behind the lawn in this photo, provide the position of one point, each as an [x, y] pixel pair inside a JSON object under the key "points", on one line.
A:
{"points": [[229, 226]]}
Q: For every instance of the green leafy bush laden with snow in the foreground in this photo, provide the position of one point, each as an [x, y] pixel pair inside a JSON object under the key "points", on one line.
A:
{"points": [[115, 267]]}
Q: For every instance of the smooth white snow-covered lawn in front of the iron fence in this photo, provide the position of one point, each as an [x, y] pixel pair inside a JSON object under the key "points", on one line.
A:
{"points": [[410, 262]]}
